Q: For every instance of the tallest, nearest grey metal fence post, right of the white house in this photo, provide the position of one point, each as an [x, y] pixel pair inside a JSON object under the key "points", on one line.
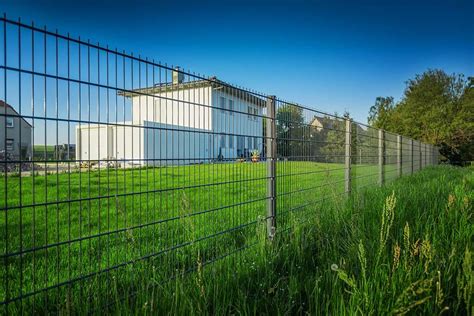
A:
{"points": [[271, 167]]}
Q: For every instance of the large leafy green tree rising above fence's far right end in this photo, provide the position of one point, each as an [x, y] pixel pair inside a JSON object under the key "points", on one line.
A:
{"points": [[436, 108]]}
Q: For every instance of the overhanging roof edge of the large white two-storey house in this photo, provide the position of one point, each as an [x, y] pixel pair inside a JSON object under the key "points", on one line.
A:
{"points": [[212, 82]]}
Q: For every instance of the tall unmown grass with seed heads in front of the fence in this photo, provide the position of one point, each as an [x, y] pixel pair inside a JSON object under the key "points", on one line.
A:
{"points": [[404, 248]]}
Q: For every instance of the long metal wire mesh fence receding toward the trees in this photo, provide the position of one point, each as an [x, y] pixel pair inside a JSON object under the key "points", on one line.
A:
{"points": [[113, 165]]}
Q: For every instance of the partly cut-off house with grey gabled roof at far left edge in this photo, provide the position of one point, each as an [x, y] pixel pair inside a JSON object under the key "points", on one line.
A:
{"points": [[15, 133]]}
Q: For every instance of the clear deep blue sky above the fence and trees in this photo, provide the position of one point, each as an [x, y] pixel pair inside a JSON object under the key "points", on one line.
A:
{"points": [[328, 55]]}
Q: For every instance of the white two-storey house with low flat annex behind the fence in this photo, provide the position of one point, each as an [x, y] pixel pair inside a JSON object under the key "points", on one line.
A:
{"points": [[179, 123]]}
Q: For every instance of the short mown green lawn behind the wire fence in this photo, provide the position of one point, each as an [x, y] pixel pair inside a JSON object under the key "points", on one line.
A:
{"points": [[108, 230]]}
